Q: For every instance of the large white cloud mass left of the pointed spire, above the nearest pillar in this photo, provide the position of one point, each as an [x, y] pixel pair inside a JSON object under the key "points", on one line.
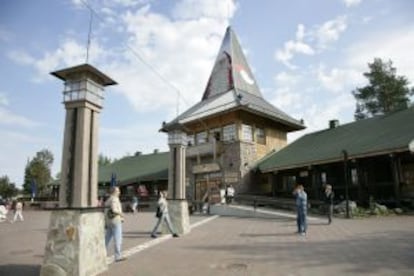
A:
{"points": [[157, 54]]}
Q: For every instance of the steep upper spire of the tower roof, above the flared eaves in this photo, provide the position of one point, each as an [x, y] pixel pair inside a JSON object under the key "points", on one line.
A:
{"points": [[231, 70]]}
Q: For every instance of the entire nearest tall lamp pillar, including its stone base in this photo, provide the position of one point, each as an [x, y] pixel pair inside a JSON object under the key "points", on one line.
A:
{"points": [[75, 242]]}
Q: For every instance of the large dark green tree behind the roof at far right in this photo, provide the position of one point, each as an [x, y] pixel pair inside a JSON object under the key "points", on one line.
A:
{"points": [[386, 92]]}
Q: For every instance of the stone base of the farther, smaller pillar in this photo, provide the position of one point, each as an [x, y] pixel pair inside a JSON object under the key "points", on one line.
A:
{"points": [[180, 218]]}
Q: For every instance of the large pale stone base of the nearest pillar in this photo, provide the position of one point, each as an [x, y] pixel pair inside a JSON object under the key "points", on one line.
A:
{"points": [[75, 243]]}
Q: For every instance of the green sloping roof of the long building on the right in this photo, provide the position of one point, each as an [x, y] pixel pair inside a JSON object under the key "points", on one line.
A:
{"points": [[369, 137]]}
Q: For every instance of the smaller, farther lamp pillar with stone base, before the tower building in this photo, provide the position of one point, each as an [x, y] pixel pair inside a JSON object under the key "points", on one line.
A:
{"points": [[177, 140]]}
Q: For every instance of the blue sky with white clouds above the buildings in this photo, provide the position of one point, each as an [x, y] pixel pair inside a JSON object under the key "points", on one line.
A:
{"points": [[307, 57]]}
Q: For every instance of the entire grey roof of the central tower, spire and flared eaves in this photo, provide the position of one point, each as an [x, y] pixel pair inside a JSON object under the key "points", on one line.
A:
{"points": [[232, 86]]}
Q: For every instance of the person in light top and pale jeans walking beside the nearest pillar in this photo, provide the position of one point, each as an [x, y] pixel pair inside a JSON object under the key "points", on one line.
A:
{"points": [[113, 222]]}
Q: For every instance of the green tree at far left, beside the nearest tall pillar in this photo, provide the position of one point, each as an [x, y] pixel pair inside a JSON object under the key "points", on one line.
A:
{"points": [[39, 170]]}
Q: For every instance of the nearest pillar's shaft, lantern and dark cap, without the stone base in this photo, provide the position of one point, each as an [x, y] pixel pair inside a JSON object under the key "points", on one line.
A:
{"points": [[82, 96]]}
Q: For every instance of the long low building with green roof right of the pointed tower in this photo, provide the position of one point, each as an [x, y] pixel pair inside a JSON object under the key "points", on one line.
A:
{"points": [[370, 158]]}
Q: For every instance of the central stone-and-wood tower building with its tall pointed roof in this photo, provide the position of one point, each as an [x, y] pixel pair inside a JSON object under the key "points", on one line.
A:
{"points": [[231, 128]]}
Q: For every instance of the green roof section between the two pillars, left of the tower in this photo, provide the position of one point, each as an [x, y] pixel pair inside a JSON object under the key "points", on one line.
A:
{"points": [[145, 167]]}
